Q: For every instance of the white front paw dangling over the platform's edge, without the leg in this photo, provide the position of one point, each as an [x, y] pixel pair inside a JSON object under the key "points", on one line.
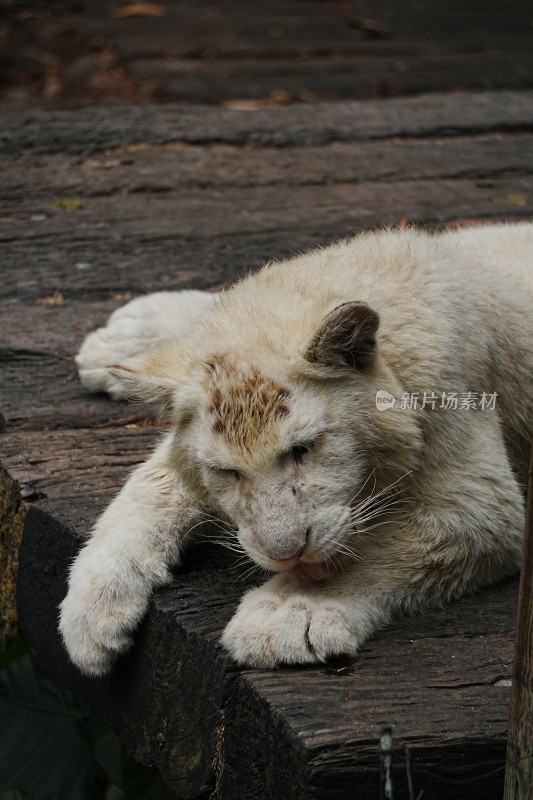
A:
{"points": [[97, 620]]}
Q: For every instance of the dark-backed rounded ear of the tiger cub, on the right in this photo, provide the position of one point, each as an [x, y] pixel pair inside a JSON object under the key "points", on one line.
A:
{"points": [[345, 337]]}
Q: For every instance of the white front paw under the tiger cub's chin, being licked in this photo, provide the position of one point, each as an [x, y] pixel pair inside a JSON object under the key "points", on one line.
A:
{"points": [[273, 626]]}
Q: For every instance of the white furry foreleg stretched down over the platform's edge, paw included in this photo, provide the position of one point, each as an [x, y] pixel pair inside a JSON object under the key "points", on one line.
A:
{"points": [[126, 557]]}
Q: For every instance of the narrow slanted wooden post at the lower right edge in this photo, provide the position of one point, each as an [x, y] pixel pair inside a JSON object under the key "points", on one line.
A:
{"points": [[519, 764]]}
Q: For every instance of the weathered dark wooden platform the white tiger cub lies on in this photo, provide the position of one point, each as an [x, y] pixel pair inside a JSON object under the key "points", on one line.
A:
{"points": [[100, 205]]}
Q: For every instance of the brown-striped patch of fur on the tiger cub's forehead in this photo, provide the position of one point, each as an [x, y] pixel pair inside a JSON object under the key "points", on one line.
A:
{"points": [[242, 405]]}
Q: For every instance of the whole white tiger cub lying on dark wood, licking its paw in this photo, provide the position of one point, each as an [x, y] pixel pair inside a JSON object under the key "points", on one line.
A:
{"points": [[362, 508]]}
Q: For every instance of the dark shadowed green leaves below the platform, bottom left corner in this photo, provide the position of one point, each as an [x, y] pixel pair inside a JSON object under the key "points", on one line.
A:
{"points": [[55, 747]]}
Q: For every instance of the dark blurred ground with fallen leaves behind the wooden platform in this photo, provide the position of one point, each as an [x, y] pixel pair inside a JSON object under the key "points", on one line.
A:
{"points": [[245, 54]]}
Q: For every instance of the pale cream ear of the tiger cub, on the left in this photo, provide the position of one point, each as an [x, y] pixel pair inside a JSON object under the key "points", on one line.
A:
{"points": [[154, 379]]}
